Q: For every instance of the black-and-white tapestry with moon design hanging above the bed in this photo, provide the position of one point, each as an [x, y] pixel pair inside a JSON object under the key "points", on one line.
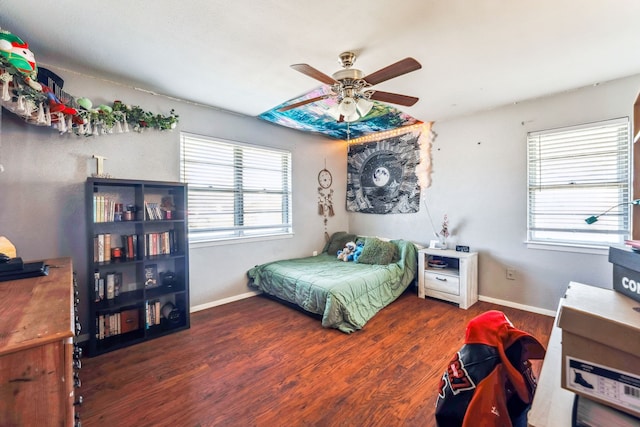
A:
{"points": [[381, 175]]}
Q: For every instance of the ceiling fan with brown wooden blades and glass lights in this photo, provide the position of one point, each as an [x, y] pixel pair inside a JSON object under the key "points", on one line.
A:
{"points": [[352, 89]]}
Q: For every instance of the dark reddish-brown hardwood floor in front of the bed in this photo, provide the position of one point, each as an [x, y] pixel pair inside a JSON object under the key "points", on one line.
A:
{"points": [[257, 362]]}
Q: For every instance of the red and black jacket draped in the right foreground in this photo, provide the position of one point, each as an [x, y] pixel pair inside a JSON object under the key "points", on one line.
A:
{"points": [[489, 382]]}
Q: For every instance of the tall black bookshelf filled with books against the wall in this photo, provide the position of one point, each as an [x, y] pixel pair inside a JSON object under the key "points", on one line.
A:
{"points": [[138, 261]]}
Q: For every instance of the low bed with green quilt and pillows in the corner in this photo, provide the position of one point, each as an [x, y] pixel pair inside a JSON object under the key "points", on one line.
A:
{"points": [[345, 294]]}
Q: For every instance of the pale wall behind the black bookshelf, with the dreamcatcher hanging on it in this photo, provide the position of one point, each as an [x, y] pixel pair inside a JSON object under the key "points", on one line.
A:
{"points": [[42, 187]]}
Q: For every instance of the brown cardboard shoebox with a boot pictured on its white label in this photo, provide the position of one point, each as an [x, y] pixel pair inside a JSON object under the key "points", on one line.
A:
{"points": [[601, 346]]}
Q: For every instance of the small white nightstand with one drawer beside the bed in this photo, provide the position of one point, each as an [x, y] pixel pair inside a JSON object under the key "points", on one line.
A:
{"points": [[457, 282]]}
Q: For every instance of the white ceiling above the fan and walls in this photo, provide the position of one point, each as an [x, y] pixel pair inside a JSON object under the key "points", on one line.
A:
{"points": [[235, 54]]}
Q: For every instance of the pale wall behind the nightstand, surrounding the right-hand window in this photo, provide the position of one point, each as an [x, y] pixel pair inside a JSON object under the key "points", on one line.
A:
{"points": [[479, 180]]}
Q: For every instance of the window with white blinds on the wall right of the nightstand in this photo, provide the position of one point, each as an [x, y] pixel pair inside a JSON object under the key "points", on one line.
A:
{"points": [[575, 173]]}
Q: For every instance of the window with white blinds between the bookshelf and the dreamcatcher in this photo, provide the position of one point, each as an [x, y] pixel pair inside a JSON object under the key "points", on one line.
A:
{"points": [[235, 190]]}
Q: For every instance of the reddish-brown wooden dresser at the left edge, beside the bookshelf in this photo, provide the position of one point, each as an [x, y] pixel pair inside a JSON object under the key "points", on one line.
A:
{"points": [[36, 348]]}
